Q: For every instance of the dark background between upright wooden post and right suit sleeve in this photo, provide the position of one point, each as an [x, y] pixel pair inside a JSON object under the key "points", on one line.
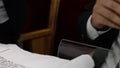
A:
{"points": [[66, 27]]}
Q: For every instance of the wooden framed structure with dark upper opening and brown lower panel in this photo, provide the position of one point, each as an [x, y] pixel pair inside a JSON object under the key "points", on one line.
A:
{"points": [[38, 32]]}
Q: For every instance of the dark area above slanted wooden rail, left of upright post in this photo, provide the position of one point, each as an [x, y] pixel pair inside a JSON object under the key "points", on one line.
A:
{"points": [[37, 15]]}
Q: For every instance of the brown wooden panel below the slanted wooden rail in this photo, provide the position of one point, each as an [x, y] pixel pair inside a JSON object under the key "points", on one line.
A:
{"points": [[42, 45]]}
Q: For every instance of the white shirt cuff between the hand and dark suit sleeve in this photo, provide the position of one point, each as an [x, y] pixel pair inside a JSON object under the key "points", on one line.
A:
{"points": [[92, 32]]}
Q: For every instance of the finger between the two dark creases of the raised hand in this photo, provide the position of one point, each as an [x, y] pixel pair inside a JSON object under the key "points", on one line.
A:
{"points": [[108, 15]]}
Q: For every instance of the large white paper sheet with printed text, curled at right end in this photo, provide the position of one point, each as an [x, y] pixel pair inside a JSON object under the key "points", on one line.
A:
{"points": [[12, 55]]}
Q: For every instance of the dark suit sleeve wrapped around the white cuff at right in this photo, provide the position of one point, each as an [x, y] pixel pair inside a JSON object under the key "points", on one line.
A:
{"points": [[104, 40]]}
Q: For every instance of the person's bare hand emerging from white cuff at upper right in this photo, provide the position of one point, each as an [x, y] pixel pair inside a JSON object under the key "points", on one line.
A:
{"points": [[106, 13]]}
